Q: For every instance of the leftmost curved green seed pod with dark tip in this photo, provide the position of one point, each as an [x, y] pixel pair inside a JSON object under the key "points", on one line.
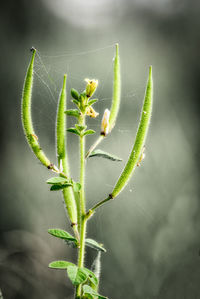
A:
{"points": [[26, 115]]}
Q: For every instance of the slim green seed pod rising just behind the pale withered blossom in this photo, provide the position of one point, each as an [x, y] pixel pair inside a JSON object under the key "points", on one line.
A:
{"points": [[116, 91]]}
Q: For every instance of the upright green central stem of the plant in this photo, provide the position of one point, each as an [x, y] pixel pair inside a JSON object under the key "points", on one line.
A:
{"points": [[83, 220]]}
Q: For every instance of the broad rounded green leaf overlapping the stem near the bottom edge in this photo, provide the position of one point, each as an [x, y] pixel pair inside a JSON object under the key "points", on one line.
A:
{"points": [[76, 275]]}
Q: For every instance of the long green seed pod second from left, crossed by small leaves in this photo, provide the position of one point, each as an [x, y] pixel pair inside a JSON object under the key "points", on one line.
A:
{"points": [[68, 193]]}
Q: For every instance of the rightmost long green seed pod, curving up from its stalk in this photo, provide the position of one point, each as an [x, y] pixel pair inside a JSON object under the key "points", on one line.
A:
{"points": [[139, 140]]}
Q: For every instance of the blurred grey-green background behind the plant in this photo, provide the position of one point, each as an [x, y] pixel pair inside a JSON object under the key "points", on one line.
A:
{"points": [[151, 231]]}
